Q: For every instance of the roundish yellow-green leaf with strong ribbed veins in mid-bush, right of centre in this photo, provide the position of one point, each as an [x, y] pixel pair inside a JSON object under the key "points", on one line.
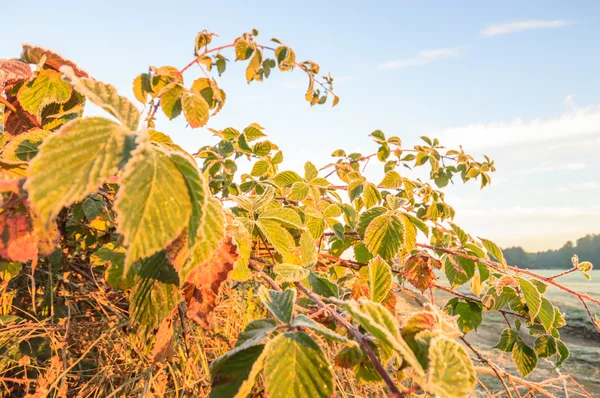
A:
{"points": [[385, 235]]}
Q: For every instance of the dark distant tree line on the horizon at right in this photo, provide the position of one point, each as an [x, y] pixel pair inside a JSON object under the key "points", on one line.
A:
{"points": [[586, 248]]}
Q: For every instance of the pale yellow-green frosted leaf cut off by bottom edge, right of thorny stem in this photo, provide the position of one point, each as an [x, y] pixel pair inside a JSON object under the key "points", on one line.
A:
{"points": [[451, 372]]}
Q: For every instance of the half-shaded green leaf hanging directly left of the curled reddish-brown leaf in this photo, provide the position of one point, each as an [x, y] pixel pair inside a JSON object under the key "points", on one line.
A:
{"points": [[155, 293]]}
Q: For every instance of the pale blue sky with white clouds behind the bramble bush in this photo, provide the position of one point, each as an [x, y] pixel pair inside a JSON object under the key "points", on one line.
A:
{"points": [[519, 81]]}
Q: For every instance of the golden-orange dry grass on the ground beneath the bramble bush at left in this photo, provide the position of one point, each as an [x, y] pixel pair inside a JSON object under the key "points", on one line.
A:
{"points": [[87, 347]]}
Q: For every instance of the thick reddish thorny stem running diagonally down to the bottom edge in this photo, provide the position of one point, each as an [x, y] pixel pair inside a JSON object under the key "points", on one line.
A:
{"points": [[351, 328]]}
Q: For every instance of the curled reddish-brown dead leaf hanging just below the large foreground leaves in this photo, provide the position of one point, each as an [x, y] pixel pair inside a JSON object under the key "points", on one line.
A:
{"points": [[203, 282]]}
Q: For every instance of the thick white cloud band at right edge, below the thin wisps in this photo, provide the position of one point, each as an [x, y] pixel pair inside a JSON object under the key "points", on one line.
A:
{"points": [[578, 122]]}
